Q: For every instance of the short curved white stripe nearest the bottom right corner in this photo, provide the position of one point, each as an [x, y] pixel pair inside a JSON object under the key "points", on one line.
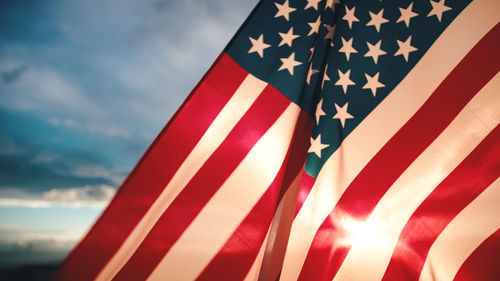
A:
{"points": [[463, 235]]}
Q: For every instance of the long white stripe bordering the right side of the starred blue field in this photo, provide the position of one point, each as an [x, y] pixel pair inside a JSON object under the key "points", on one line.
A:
{"points": [[381, 124]]}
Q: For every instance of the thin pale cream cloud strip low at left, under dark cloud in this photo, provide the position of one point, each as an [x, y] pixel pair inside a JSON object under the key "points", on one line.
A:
{"points": [[77, 197]]}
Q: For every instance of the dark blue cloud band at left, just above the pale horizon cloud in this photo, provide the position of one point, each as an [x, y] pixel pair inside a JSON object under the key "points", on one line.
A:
{"points": [[37, 168]]}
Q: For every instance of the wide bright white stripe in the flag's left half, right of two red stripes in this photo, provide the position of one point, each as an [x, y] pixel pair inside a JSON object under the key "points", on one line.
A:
{"points": [[213, 226]]}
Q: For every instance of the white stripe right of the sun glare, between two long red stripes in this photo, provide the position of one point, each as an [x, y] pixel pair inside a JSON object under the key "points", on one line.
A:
{"points": [[374, 251]]}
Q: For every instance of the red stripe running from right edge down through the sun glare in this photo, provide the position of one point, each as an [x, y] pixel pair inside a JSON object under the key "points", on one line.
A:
{"points": [[360, 198]]}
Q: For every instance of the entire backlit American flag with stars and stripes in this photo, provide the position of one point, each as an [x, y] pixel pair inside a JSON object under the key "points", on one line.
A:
{"points": [[331, 140]]}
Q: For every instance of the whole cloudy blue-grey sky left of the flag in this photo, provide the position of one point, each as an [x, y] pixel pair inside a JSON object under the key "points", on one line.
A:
{"points": [[85, 86]]}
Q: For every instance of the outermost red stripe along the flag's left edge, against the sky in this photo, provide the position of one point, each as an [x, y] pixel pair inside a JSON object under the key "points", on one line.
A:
{"points": [[152, 172]]}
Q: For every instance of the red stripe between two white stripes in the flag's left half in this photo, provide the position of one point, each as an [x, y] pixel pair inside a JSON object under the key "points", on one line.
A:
{"points": [[184, 209]]}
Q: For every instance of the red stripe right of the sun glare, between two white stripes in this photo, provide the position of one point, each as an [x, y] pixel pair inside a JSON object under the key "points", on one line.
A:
{"points": [[463, 185]]}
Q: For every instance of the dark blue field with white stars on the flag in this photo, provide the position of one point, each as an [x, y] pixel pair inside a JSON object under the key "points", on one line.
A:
{"points": [[333, 59]]}
